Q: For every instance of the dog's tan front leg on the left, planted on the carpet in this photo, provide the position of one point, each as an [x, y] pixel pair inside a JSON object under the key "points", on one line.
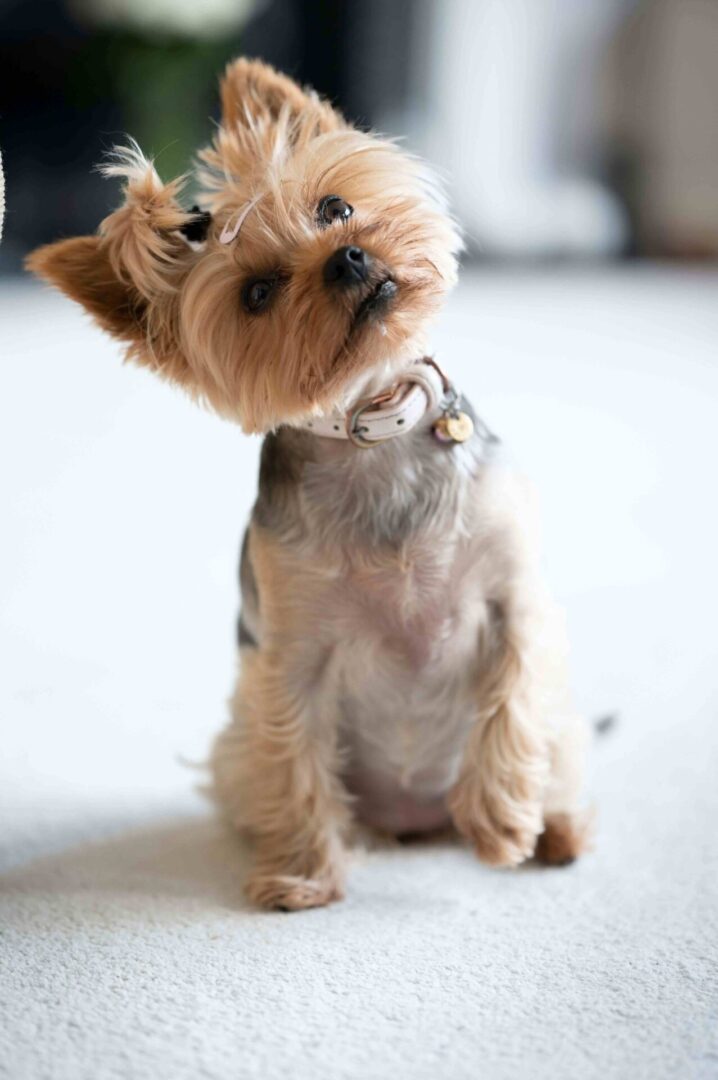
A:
{"points": [[276, 773]]}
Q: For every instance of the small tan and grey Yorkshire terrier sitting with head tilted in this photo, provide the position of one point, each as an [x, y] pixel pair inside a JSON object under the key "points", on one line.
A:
{"points": [[401, 663]]}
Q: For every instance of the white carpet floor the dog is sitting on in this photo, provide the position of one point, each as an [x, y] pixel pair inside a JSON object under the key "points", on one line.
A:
{"points": [[127, 949]]}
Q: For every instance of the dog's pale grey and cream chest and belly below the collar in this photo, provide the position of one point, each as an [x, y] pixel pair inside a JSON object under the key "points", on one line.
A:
{"points": [[390, 569]]}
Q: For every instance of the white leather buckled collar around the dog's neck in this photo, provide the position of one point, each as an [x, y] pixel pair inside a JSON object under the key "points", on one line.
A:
{"points": [[394, 413]]}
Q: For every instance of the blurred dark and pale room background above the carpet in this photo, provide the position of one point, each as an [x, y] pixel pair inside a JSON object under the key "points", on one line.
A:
{"points": [[566, 129]]}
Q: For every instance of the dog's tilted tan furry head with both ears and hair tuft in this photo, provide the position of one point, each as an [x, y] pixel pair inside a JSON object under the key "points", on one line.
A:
{"points": [[324, 253]]}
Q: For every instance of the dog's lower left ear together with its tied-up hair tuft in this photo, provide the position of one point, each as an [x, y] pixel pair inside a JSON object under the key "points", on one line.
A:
{"points": [[129, 276]]}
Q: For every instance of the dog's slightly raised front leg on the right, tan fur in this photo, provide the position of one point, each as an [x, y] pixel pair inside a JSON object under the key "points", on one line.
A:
{"points": [[497, 801]]}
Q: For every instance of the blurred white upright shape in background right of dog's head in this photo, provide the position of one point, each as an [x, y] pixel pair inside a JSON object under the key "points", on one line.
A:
{"points": [[513, 118]]}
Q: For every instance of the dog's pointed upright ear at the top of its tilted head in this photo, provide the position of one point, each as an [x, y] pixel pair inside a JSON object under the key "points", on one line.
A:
{"points": [[253, 92]]}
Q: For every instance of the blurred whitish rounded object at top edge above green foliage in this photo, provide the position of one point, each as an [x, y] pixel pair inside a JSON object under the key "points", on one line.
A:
{"points": [[191, 19]]}
